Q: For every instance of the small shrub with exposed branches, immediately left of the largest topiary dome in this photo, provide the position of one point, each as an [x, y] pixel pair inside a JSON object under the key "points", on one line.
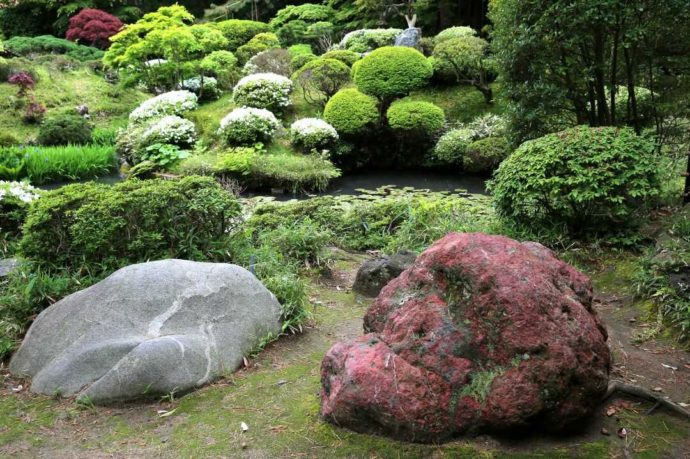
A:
{"points": [[321, 78]]}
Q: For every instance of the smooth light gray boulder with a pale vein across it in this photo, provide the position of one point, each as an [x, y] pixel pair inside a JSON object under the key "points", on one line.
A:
{"points": [[152, 328]]}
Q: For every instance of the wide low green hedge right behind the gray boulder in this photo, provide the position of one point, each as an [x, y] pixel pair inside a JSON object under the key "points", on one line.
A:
{"points": [[106, 227]]}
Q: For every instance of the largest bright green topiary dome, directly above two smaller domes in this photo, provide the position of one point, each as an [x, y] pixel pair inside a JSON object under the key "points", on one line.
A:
{"points": [[391, 72]]}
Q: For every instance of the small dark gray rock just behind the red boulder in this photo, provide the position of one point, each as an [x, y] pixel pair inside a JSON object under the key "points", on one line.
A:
{"points": [[375, 274]]}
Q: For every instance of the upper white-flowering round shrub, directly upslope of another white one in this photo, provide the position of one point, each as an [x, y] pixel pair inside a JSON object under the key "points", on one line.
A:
{"points": [[263, 90]]}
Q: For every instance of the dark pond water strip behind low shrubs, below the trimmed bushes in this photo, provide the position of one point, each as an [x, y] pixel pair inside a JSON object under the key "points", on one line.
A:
{"points": [[350, 184]]}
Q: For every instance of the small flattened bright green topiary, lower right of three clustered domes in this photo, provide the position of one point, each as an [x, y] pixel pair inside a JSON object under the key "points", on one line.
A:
{"points": [[416, 117]]}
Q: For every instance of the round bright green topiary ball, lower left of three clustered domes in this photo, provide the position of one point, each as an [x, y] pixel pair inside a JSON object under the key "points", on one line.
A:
{"points": [[350, 112]]}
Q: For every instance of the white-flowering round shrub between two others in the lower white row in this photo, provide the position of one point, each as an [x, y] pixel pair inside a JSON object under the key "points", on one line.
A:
{"points": [[248, 125]]}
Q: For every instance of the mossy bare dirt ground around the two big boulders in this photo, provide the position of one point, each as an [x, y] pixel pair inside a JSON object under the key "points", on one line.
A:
{"points": [[277, 397]]}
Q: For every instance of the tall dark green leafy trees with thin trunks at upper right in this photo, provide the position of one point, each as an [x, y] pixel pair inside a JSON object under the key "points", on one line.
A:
{"points": [[553, 83]]}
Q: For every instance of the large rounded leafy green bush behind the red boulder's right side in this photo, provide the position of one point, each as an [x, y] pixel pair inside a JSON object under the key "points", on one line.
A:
{"points": [[583, 181]]}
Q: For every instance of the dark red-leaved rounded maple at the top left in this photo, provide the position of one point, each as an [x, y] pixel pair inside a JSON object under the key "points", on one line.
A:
{"points": [[93, 27]]}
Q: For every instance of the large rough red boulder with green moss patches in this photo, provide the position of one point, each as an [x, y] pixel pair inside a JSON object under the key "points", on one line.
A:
{"points": [[482, 333]]}
